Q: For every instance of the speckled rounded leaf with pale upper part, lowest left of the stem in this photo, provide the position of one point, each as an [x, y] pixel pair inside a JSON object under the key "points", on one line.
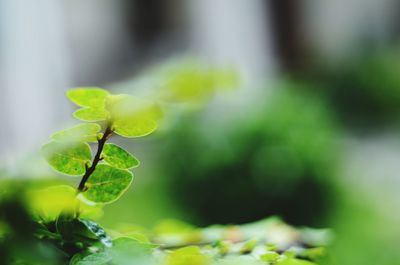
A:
{"points": [[69, 158]]}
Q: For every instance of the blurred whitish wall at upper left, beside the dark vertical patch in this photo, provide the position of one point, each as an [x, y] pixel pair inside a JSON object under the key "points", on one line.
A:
{"points": [[46, 47]]}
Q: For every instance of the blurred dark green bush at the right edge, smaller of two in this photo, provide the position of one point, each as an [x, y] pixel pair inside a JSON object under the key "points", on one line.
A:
{"points": [[365, 92]]}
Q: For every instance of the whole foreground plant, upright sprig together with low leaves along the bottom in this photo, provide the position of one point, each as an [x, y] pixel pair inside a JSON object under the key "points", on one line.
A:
{"points": [[55, 225]]}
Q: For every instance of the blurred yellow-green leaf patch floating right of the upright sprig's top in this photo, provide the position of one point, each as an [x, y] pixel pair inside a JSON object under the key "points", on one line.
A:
{"points": [[184, 82]]}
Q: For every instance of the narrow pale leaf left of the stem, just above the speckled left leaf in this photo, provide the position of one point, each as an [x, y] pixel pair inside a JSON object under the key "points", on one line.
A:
{"points": [[81, 132]]}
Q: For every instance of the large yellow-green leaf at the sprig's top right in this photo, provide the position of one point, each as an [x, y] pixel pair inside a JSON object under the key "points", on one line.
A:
{"points": [[133, 117]]}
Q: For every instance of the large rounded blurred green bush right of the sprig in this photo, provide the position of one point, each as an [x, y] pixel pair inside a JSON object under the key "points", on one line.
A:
{"points": [[278, 158]]}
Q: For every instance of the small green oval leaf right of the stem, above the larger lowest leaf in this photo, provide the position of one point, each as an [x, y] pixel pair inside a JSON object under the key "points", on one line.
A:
{"points": [[118, 157]]}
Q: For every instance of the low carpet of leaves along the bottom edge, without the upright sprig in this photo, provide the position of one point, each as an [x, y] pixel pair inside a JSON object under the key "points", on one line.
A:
{"points": [[81, 241]]}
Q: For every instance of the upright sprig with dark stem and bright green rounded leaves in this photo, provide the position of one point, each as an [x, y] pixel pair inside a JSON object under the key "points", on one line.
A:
{"points": [[107, 175]]}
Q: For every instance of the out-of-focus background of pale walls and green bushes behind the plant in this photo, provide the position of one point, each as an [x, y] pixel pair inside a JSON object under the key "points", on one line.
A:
{"points": [[288, 108]]}
